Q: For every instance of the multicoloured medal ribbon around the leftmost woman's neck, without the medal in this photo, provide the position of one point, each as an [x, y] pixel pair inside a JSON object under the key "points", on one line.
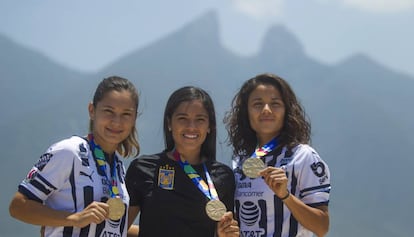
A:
{"points": [[99, 156]]}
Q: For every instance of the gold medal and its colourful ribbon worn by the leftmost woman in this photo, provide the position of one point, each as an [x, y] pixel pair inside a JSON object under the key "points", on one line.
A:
{"points": [[116, 205]]}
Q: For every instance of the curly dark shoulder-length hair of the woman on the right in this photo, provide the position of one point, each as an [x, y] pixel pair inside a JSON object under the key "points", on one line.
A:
{"points": [[296, 126]]}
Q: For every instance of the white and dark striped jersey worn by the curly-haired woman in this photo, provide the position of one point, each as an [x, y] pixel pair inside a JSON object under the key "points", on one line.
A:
{"points": [[260, 212]]}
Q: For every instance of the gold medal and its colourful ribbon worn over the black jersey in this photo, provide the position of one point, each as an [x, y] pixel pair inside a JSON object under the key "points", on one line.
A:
{"points": [[215, 209]]}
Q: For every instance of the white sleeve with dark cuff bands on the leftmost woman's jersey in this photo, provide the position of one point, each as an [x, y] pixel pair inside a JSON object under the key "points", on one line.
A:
{"points": [[49, 173]]}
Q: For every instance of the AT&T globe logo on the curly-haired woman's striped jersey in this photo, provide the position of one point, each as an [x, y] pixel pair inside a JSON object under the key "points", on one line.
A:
{"points": [[250, 215]]}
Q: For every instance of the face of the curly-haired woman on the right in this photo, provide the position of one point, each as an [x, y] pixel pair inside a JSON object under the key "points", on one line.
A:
{"points": [[266, 112]]}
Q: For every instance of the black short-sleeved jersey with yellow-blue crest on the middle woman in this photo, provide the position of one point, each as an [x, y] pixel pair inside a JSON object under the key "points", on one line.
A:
{"points": [[170, 203]]}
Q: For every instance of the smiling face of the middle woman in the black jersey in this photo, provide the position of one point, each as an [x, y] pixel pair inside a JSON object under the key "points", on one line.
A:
{"points": [[189, 126]]}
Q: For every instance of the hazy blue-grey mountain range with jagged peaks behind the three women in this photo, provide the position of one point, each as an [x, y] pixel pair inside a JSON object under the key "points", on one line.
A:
{"points": [[359, 109]]}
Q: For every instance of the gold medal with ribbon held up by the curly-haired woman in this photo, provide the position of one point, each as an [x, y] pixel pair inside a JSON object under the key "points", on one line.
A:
{"points": [[253, 165]]}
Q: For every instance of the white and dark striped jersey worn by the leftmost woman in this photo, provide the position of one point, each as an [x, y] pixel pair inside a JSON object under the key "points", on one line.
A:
{"points": [[67, 178]]}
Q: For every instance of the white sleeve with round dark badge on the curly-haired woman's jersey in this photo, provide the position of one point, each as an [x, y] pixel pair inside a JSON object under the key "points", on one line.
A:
{"points": [[313, 176]]}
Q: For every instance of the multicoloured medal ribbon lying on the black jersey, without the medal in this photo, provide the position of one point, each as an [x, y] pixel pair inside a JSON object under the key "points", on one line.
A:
{"points": [[209, 191]]}
